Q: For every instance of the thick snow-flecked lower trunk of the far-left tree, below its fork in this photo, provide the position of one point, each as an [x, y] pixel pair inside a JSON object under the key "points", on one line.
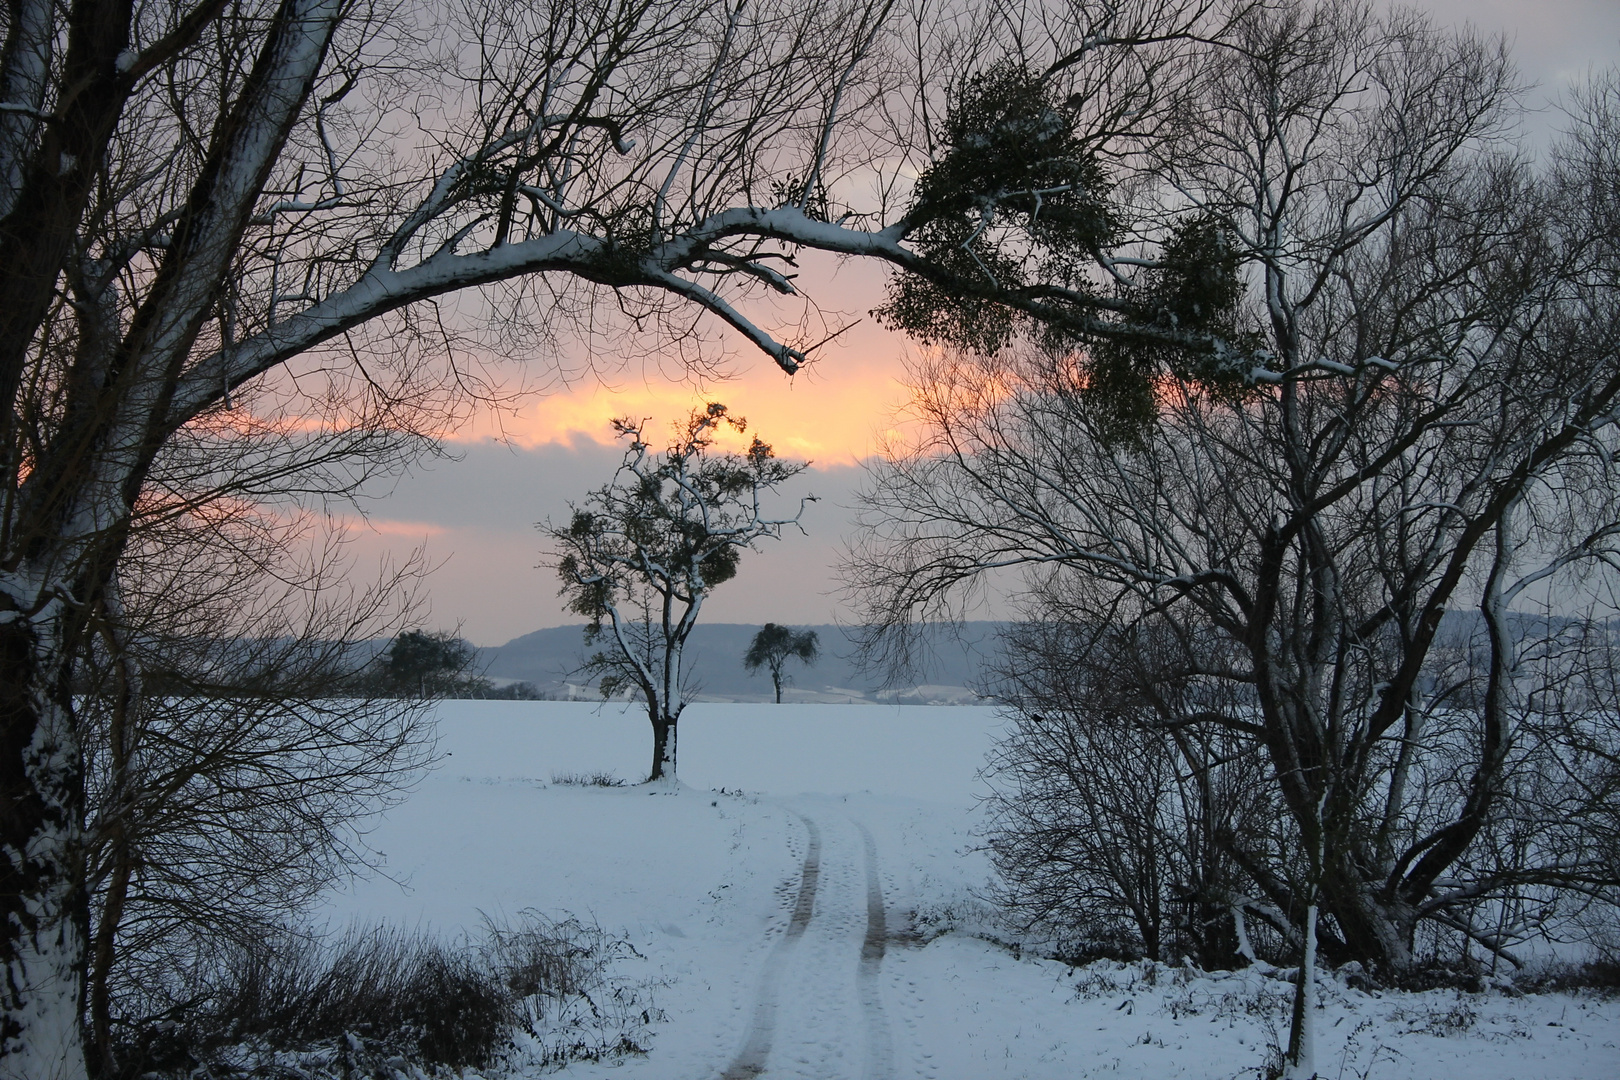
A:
{"points": [[41, 880]]}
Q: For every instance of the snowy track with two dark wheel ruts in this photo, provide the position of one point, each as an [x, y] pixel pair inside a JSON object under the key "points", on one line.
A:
{"points": [[821, 980]]}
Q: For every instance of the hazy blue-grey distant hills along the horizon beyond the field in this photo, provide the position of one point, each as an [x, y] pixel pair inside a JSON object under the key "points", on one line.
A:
{"points": [[950, 671]]}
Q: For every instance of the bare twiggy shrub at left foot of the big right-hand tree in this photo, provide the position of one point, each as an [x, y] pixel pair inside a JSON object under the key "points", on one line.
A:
{"points": [[1106, 823]]}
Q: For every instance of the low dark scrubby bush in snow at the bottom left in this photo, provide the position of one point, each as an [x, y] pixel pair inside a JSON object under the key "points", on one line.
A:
{"points": [[380, 1000]]}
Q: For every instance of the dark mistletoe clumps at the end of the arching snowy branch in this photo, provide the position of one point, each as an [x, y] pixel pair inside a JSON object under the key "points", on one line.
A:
{"points": [[1012, 221]]}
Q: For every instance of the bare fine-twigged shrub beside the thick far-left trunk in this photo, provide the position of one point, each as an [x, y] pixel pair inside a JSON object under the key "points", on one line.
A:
{"points": [[232, 747]]}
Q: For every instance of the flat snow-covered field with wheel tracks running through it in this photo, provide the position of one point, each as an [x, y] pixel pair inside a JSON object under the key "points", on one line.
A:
{"points": [[777, 893]]}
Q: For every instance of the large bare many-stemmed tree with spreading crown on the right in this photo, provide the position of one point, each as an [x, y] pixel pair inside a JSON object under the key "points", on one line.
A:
{"points": [[1431, 428]]}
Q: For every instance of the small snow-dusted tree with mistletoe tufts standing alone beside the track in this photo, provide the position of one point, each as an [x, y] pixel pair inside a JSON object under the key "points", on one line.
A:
{"points": [[644, 553]]}
